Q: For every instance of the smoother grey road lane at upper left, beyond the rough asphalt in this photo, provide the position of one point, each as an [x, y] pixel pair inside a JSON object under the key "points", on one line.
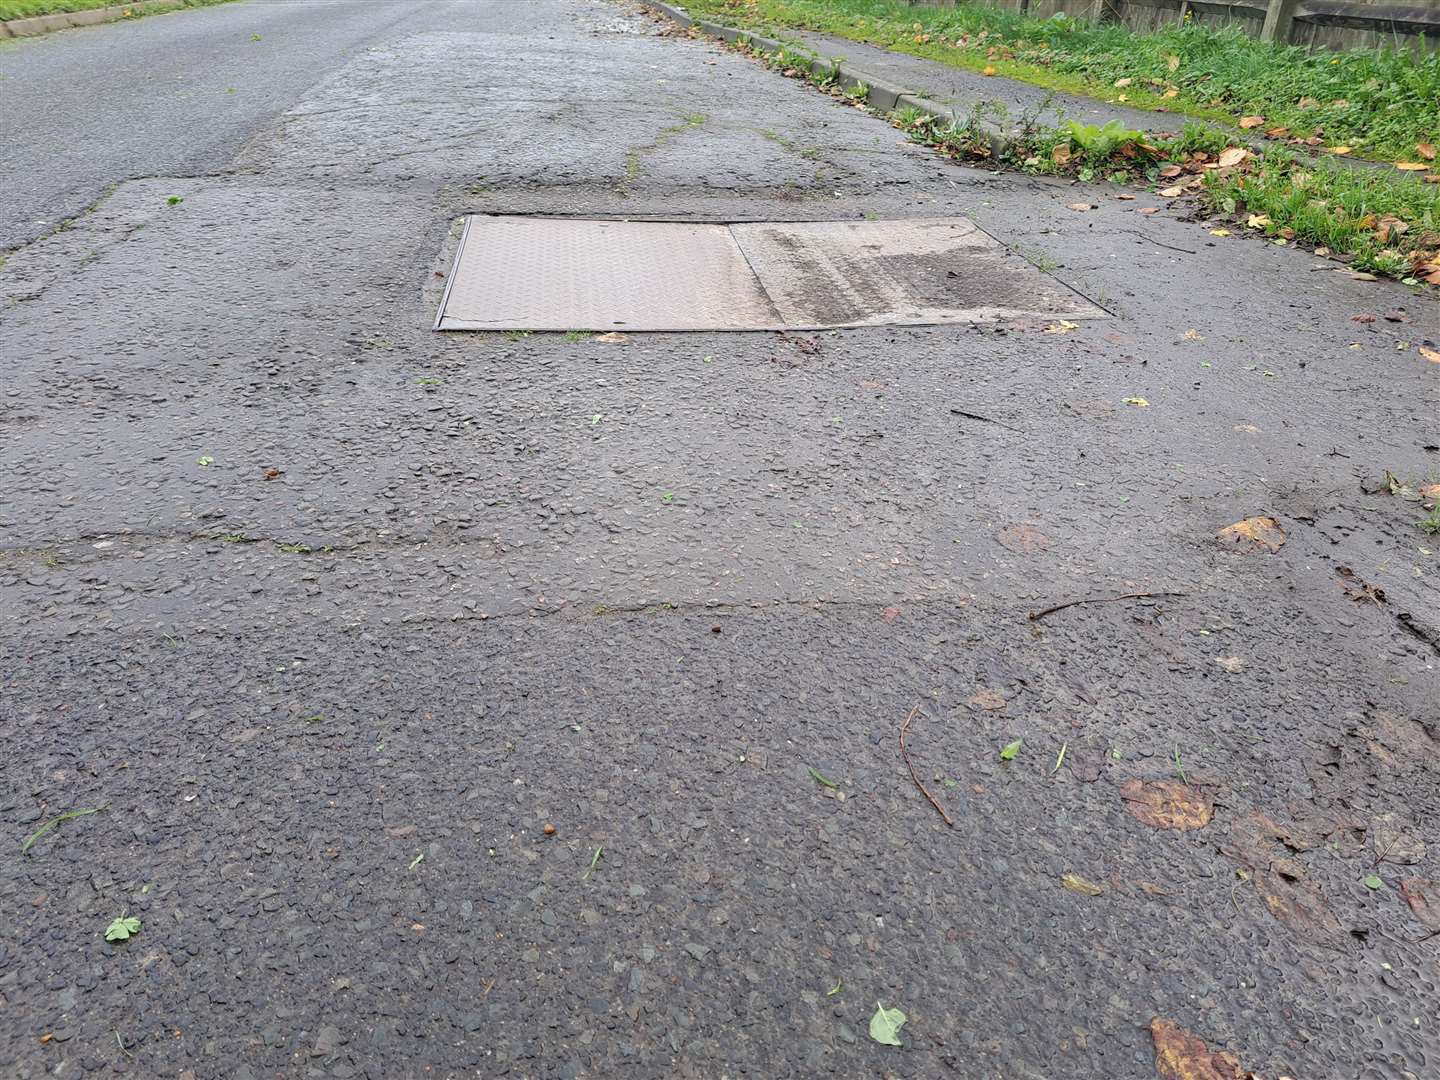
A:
{"points": [[168, 96]]}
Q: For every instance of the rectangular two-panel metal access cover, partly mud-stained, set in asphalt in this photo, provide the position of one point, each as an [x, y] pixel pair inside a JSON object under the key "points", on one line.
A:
{"points": [[572, 274]]}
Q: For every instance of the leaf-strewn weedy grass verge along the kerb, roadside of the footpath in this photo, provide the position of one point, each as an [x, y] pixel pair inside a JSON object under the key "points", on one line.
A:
{"points": [[1376, 221]]}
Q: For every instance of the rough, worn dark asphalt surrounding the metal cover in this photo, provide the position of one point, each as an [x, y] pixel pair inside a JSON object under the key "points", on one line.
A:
{"points": [[332, 714]]}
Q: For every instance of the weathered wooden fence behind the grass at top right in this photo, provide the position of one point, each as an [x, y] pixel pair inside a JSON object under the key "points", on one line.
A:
{"points": [[1314, 24]]}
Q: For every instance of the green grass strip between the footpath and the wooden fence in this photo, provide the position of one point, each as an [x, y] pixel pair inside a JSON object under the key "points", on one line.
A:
{"points": [[1376, 102]]}
